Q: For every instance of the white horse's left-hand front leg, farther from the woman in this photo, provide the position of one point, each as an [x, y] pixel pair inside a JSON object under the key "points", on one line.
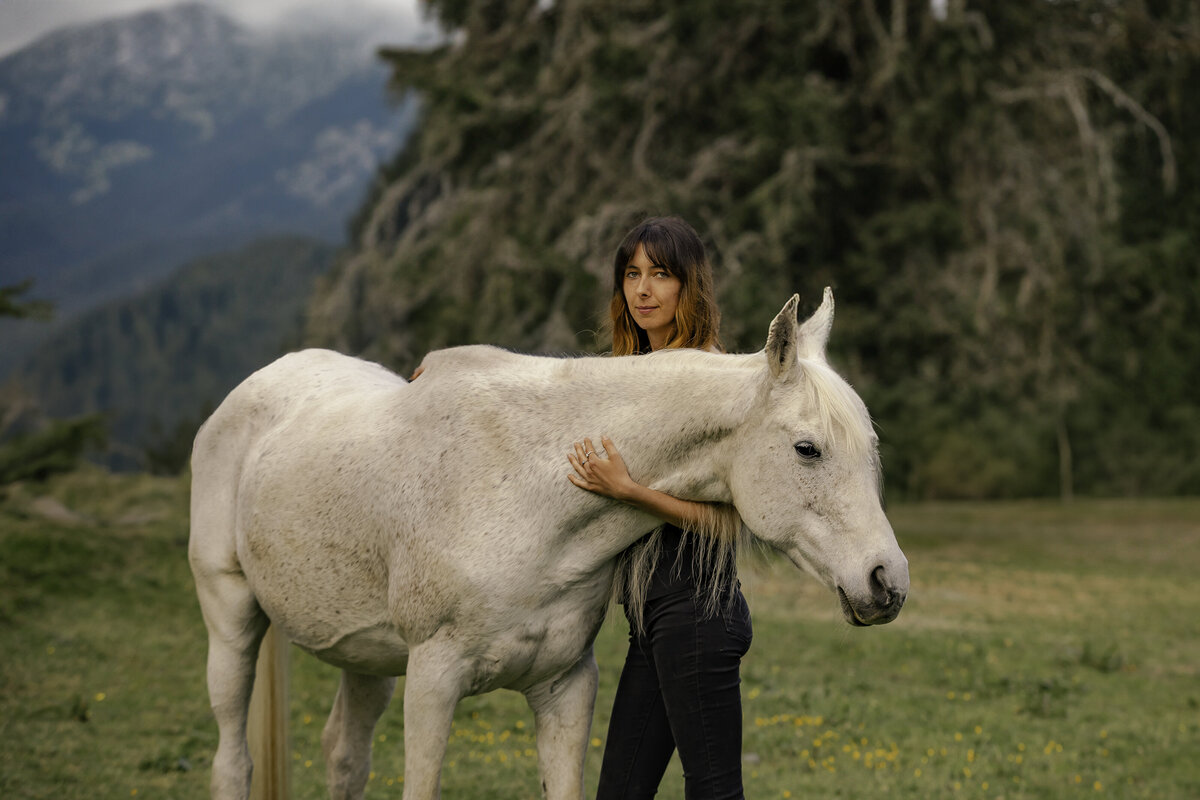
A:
{"points": [[435, 683]]}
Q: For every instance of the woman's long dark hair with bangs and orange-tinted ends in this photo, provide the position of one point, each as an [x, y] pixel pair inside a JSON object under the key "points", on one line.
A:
{"points": [[673, 244]]}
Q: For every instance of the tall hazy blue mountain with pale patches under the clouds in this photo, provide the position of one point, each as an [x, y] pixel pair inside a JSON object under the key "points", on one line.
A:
{"points": [[133, 145]]}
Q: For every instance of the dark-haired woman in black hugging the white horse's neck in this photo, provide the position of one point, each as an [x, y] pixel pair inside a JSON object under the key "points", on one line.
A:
{"points": [[689, 623]]}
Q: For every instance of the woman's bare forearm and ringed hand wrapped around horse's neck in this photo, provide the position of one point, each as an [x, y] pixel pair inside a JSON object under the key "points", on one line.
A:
{"points": [[608, 476]]}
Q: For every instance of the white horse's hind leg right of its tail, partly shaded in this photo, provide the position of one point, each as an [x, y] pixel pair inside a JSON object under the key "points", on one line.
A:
{"points": [[346, 741]]}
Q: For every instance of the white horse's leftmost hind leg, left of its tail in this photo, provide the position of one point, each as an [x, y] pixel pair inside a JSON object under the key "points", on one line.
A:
{"points": [[236, 627]]}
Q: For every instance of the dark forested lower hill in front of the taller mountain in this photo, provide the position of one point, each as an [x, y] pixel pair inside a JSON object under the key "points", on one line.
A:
{"points": [[172, 352]]}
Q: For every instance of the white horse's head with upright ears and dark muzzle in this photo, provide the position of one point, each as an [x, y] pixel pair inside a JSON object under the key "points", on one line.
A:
{"points": [[807, 478]]}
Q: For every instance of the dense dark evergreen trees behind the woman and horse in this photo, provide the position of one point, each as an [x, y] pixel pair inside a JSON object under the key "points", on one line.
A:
{"points": [[1003, 197]]}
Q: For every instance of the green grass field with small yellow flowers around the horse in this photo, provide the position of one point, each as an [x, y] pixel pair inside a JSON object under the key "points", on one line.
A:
{"points": [[1046, 652]]}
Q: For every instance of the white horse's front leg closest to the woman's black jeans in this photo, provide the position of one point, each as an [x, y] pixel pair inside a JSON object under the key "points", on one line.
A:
{"points": [[562, 709]]}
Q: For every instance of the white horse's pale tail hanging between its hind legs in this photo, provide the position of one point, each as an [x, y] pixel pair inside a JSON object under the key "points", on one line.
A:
{"points": [[268, 721]]}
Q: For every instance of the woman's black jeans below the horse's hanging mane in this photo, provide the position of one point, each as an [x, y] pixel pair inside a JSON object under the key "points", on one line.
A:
{"points": [[680, 690]]}
